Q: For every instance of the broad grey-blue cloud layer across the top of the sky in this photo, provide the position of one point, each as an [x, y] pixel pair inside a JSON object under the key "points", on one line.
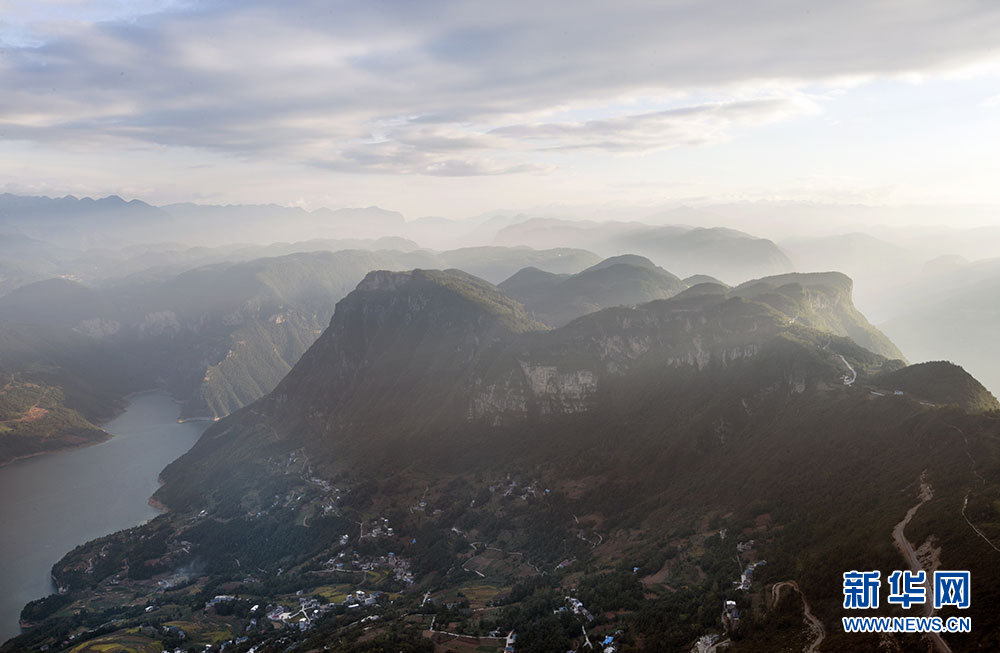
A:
{"points": [[451, 88]]}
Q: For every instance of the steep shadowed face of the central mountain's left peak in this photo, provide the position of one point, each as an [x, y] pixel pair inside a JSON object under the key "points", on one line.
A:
{"points": [[412, 339]]}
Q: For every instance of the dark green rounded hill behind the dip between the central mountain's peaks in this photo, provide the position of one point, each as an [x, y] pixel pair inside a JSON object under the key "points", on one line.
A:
{"points": [[558, 299]]}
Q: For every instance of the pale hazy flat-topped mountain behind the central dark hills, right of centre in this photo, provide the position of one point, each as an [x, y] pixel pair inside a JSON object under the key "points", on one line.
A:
{"points": [[728, 254]]}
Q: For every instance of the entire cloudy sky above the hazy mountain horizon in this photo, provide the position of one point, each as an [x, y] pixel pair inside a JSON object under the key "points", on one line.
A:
{"points": [[439, 108]]}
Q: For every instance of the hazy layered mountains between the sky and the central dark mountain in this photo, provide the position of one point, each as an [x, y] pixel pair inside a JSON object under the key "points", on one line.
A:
{"points": [[220, 325]]}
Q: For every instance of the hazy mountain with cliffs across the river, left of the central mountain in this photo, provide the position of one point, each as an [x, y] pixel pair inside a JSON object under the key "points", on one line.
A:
{"points": [[220, 336]]}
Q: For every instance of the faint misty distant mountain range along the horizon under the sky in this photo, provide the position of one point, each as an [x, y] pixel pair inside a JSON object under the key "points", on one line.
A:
{"points": [[99, 240]]}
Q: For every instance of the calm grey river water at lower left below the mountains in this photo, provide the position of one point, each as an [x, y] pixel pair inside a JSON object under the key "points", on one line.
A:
{"points": [[51, 503]]}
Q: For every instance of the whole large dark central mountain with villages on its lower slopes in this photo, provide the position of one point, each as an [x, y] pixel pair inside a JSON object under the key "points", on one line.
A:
{"points": [[441, 451]]}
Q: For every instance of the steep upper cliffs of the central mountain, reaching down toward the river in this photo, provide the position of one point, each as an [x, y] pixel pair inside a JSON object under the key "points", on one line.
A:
{"points": [[428, 368]]}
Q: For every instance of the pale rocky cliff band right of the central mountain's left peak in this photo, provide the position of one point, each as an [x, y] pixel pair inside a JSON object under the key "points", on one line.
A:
{"points": [[563, 371]]}
